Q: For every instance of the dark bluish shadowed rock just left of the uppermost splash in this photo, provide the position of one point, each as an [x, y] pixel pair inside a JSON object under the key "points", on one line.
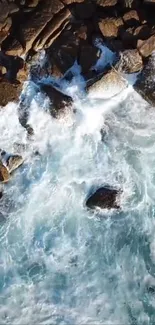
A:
{"points": [[88, 56]]}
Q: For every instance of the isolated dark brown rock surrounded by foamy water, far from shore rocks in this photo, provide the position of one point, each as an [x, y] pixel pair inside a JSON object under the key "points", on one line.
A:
{"points": [[104, 198]]}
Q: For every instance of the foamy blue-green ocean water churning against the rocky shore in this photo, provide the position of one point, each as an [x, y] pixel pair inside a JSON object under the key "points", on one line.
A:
{"points": [[59, 262]]}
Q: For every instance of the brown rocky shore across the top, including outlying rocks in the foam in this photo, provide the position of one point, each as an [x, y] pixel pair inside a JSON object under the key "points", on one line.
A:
{"points": [[67, 31]]}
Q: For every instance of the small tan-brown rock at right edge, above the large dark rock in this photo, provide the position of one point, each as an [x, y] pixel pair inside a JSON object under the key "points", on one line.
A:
{"points": [[146, 47]]}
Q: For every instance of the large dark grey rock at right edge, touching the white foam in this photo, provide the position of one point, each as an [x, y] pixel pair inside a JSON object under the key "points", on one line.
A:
{"points": [[145, 84]]}
